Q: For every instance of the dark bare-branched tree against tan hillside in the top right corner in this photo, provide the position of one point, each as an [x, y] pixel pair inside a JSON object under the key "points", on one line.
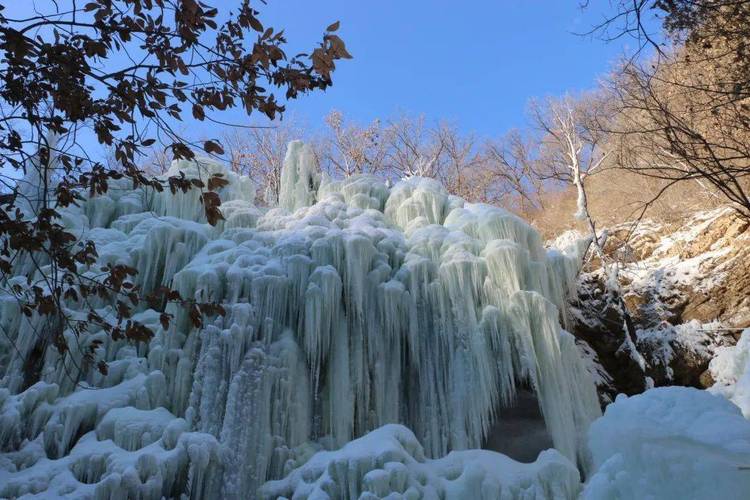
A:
{"points": [[685, 114]]}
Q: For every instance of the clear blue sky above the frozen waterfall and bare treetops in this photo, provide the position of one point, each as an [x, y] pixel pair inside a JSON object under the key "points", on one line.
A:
{"points": [[475, 63]]}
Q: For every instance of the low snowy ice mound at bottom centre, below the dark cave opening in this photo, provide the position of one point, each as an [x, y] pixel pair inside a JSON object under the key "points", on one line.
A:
{"points": [[389, 462]]}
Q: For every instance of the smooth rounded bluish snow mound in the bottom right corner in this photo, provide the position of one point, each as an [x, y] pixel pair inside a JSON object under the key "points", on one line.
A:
{"points": [[670, 442]]}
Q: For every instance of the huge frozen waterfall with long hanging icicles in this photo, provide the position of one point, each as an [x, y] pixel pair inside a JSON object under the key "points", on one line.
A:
{"points": [[350, 306]]}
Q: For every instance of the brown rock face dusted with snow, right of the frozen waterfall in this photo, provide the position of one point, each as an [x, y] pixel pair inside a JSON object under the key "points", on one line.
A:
{"points": [[687, 289]]}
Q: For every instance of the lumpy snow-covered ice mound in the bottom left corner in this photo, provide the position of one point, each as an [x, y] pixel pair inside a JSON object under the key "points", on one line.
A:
{"points": [[101, 470]]}
